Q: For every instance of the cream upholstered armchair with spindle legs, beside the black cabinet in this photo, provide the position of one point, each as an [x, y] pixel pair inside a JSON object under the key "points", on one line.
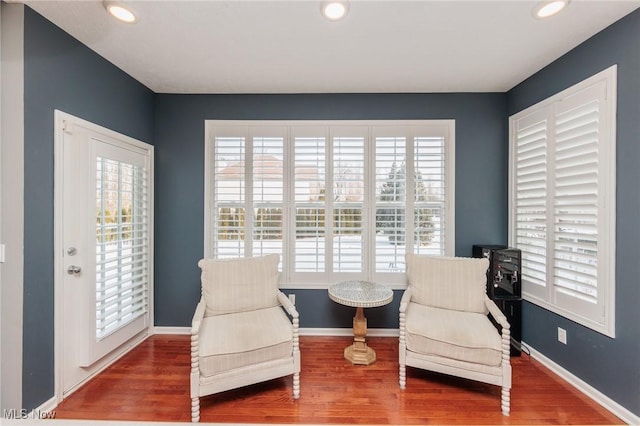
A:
{"points": [[444, 323]]}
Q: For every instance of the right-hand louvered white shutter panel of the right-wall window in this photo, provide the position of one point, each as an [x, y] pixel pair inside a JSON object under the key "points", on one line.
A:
{"points": [[576, 201]]}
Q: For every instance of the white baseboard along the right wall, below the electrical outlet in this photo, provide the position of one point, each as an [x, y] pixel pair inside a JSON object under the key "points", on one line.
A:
{"points": [[600, 398]]}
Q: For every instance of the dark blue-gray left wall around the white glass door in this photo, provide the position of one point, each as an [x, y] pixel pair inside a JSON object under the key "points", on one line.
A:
{"points": [[60, 73]]}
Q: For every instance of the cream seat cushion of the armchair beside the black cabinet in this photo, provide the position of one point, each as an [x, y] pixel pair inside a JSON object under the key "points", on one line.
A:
{"points": [[464, 336]]}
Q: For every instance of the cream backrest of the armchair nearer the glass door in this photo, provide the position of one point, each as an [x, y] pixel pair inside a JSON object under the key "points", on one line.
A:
{"points": [[240, 284]]}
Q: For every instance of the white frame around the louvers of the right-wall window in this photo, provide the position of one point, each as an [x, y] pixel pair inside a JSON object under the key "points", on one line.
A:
{"points": [[601, 316]]}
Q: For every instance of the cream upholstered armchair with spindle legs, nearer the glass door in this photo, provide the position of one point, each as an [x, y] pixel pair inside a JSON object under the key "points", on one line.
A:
{"points": [[240, 333]]}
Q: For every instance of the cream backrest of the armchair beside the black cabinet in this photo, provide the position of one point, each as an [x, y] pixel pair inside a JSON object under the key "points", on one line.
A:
{"points": [[457, 283]]}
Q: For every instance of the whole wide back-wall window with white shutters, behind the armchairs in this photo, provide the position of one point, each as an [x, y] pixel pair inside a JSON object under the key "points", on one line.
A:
{"points": [[337, 200]]}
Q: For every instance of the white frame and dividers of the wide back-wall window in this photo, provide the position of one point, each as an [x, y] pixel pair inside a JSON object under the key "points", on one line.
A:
{"points": [[410, 128]]}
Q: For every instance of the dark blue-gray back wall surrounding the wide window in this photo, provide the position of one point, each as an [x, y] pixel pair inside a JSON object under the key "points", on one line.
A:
{"points": [[480, 187]]}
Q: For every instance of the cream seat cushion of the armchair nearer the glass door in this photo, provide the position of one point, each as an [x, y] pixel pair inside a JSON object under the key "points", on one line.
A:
{"points": [[240, 339]]}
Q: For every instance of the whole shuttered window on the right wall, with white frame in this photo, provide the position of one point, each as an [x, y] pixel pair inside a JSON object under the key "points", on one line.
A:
{"points": [[563, 201]]}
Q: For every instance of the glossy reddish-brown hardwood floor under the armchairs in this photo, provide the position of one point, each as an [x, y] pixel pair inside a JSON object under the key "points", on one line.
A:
{"points": [[151, 383]]}
